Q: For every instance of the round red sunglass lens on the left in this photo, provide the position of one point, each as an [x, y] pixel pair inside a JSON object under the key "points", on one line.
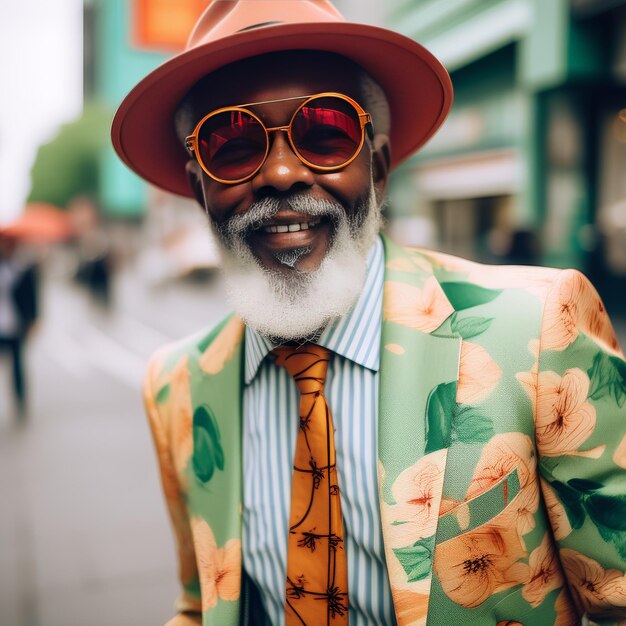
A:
{"points": [[232, 144]]}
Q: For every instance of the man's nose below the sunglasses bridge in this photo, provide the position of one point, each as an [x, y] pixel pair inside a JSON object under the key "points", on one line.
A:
{"points": [[282, 169]]}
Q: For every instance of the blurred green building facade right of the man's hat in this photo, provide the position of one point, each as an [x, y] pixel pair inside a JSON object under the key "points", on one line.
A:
{"points": [[529, 166]]}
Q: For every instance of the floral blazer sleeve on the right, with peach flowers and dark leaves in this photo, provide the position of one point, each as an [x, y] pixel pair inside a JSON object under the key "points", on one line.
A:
{"points": [[580, 414]]}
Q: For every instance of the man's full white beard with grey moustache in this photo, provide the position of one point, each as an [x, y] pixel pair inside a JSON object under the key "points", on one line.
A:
{"points": [[294, 304]]}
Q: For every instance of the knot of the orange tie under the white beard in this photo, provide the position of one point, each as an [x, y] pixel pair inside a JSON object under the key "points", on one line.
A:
{"points": [[307, 364]]}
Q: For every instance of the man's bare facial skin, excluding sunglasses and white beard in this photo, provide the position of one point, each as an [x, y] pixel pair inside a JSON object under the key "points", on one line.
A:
{"points": [[283, 174]]}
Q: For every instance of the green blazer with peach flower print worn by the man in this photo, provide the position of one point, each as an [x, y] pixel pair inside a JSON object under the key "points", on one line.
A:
{"points": [[501, 450]]}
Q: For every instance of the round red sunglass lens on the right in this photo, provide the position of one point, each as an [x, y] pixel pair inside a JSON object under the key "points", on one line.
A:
{"points": [[327, 131]]}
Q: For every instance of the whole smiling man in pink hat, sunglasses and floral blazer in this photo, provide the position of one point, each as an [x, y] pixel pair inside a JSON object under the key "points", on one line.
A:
{"points": [[378, 435]]}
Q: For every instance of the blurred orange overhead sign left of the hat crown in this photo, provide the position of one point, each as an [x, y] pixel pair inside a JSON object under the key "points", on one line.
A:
{"points": [[164, 24]]}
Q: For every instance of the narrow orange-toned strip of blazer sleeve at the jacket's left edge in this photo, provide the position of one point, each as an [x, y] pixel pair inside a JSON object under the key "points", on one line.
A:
{"points": [[188, 603]]}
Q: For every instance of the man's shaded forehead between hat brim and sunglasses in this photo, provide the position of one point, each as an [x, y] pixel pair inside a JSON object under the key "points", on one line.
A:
{"points": [[275, 76]]}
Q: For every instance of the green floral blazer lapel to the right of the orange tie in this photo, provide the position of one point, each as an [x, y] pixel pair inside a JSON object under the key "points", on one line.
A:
{"points": [[418, 379]]}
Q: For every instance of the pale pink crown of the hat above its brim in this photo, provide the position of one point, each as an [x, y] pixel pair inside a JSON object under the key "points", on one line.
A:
{"points": [[223, 18]]}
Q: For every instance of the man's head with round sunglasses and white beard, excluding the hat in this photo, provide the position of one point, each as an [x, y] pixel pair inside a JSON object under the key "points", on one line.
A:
{"points": [[298, 225]]}
